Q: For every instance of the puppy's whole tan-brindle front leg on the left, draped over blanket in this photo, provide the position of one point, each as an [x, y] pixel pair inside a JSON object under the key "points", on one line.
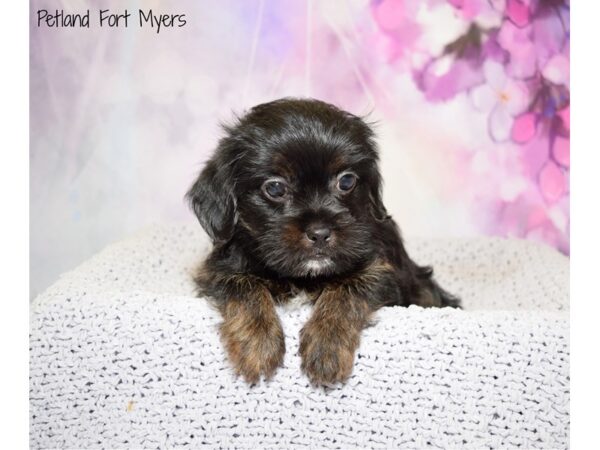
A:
{"points": [[251, 331]]}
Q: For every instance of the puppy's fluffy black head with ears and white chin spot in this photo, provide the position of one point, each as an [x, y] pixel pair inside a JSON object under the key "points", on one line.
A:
{"points": [[297, 182]]}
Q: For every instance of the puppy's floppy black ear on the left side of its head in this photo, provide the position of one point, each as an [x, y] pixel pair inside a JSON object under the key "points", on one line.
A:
{"points": [[213, 201]]}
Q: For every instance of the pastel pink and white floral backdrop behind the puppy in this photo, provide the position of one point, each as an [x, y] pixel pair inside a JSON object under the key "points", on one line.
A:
{"points": [[469, 98]]}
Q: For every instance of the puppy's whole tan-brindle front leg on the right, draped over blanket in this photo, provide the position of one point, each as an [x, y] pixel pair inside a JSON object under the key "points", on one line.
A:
{"points": [[328, 341]]}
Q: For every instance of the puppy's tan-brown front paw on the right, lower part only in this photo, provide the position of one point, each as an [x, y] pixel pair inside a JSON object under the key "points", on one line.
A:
{"points": [[327, 356]]}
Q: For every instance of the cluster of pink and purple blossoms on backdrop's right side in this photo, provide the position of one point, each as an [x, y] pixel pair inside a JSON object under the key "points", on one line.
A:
{"points": [[512, 60]]}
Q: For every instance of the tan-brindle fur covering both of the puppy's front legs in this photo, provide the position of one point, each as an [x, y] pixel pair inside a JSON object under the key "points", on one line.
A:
{"points": [[253, 338]]}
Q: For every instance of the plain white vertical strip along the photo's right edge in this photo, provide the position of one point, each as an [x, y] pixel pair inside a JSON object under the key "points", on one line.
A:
{"points": [[585, 223]]}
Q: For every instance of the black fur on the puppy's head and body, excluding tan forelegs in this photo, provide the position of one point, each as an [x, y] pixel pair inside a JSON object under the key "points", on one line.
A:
{"points": [[306, 145]]}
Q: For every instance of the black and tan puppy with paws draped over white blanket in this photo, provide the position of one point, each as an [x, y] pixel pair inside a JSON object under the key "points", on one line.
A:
{"points": [[292, 201]]}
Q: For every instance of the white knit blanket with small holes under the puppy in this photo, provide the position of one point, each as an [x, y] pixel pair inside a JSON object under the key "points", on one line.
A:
{"points": [[124, 356]]}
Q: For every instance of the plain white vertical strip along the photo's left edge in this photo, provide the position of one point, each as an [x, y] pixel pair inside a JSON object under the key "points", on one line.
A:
{"points": [[14, 152]]}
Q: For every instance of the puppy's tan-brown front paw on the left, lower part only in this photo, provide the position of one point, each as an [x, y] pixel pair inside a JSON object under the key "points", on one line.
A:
{"points": [[255, 348]]}
